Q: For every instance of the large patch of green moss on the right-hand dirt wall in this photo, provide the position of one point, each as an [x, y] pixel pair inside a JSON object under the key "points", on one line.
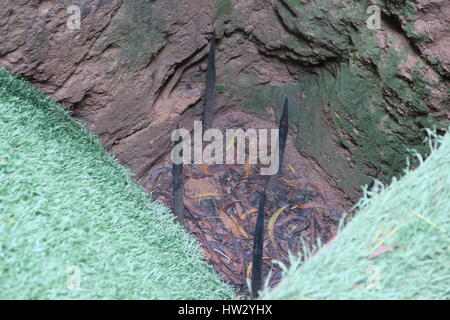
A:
{"points": [[356, 113]]}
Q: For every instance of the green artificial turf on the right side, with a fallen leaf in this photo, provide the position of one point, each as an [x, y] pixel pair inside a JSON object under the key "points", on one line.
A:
{"points": [[412, 214]]}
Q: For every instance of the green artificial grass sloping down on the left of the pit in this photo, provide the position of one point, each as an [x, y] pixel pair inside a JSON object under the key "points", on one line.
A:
{"points": [[69, 211]]}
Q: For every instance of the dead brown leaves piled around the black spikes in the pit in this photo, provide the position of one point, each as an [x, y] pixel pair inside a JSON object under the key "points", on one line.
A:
{"points": [[221, 206]]}
